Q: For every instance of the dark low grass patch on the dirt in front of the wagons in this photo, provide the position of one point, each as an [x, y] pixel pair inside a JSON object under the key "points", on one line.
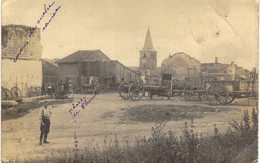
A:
{"points": [[158, 113]]}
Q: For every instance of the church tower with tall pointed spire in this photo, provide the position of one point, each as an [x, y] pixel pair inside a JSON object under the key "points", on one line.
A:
{"points": [[148, 55]]}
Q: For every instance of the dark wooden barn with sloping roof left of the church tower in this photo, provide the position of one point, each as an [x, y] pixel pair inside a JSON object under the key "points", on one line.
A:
{"points": [[83, 64]]}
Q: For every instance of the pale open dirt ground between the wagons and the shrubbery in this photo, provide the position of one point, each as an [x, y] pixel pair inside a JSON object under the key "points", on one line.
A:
{"points": [[106, 116]]}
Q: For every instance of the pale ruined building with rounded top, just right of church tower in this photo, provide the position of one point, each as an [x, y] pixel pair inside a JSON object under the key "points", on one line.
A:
{"points": [[181, 66]]}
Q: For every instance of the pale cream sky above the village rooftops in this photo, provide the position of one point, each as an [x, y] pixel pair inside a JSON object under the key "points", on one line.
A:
{"points": [[203, 29]]}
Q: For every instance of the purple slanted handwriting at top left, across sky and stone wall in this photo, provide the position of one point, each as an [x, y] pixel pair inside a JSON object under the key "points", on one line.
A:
{"points": [[32, 30]]}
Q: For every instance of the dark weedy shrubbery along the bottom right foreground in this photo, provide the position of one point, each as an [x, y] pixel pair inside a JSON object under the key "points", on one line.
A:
{"points": [[165, 146]]}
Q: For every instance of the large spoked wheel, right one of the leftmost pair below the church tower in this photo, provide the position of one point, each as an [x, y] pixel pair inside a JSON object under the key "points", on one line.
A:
{"points": [[136, 90]]}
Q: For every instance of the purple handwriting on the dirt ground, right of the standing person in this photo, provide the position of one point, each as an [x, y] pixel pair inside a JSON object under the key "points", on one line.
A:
{"points": [[83, 103]]}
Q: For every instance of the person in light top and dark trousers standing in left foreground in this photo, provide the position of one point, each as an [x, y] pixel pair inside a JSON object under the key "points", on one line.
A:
{"points": [[45, 123]]}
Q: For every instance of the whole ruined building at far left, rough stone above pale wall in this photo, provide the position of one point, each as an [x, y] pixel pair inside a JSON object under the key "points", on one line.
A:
{"points": [[26, 72]]}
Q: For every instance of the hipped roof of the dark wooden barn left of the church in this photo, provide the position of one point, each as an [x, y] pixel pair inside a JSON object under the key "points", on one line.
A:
{"points": [[84, 55]]}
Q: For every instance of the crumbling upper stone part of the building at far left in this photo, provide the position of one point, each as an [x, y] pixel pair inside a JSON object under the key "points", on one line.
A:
{"points": [[14, 37]]}
